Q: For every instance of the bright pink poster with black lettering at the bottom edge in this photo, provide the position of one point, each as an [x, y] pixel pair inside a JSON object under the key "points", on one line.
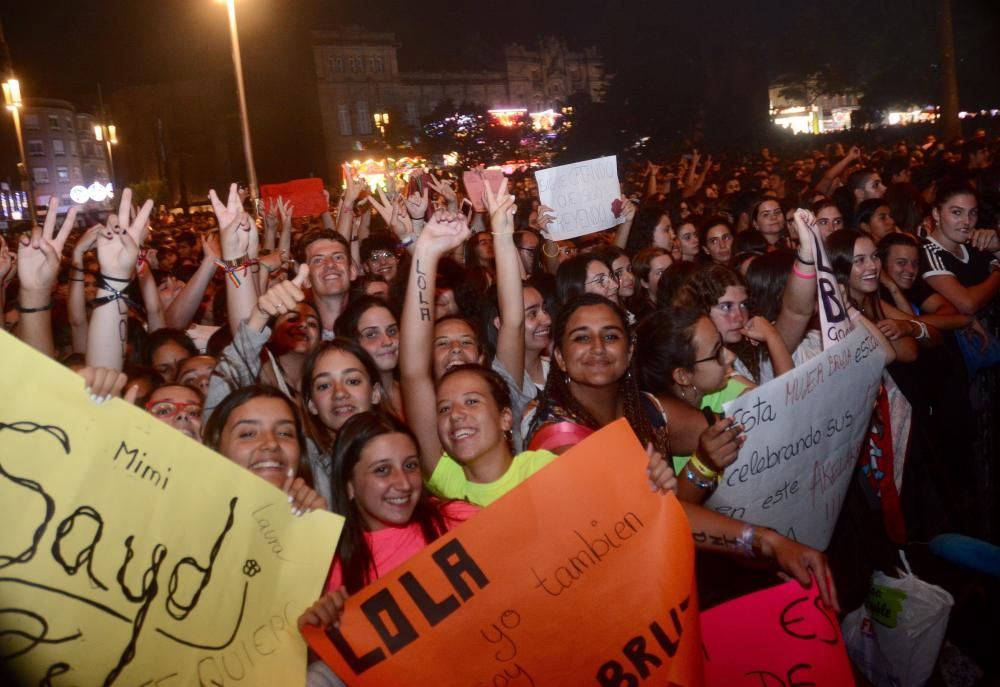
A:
{"points": [[781, 636]]}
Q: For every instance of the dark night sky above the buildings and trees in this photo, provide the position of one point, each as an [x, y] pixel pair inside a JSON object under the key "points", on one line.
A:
{"points": [[64, 48]]}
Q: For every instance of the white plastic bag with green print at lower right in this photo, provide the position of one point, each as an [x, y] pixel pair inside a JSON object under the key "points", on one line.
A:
{"points": [[895, 636]]}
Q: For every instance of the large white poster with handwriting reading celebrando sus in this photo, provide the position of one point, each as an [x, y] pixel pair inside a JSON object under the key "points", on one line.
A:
{"points": [[804, 432]]}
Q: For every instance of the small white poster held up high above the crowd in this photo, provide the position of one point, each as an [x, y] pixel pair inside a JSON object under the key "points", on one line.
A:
{"points": [[583, 196]]}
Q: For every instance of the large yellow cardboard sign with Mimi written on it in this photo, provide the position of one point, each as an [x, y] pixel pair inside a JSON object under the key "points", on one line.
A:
{"points": [[132, 555]]}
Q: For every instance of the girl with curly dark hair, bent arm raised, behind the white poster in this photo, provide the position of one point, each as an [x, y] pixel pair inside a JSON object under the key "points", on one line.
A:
{"points": [[721, 293]]}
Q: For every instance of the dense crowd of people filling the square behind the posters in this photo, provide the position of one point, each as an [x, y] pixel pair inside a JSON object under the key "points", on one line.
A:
{"points": [[405, 364]]}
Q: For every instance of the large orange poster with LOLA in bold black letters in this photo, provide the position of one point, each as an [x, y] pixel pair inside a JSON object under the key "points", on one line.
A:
{"points": [[580, 576]]}
